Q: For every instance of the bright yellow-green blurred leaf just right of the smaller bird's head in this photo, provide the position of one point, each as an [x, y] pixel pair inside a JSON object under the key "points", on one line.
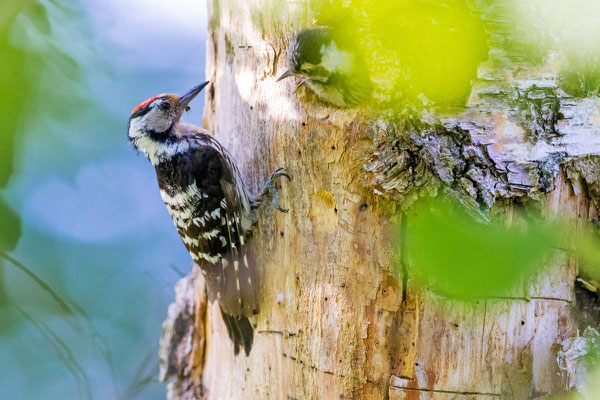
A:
{"points": [[418, 52]]}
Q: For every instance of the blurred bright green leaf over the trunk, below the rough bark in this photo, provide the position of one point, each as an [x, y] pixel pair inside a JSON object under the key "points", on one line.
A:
{"points": [[446, 250]]}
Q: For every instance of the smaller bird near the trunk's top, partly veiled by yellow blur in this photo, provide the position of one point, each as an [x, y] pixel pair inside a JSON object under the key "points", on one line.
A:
{"points": [[330, 67]]}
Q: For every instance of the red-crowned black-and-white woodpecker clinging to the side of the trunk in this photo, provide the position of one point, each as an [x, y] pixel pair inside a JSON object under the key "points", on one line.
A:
{"points": [[209, 204]]}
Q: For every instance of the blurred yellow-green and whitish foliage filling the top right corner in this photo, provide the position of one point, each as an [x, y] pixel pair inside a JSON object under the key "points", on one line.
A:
{"points": [[424, 53]]}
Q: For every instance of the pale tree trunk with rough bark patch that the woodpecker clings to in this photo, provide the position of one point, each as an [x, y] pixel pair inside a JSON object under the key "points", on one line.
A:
{"points": [[339, 318]]}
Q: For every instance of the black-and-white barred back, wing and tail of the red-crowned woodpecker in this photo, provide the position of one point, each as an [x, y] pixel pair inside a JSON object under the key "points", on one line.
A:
{"points": [[210, 209]]}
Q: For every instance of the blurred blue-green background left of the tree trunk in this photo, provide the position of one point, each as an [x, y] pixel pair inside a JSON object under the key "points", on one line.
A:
{"points": [[89, 257]]}
